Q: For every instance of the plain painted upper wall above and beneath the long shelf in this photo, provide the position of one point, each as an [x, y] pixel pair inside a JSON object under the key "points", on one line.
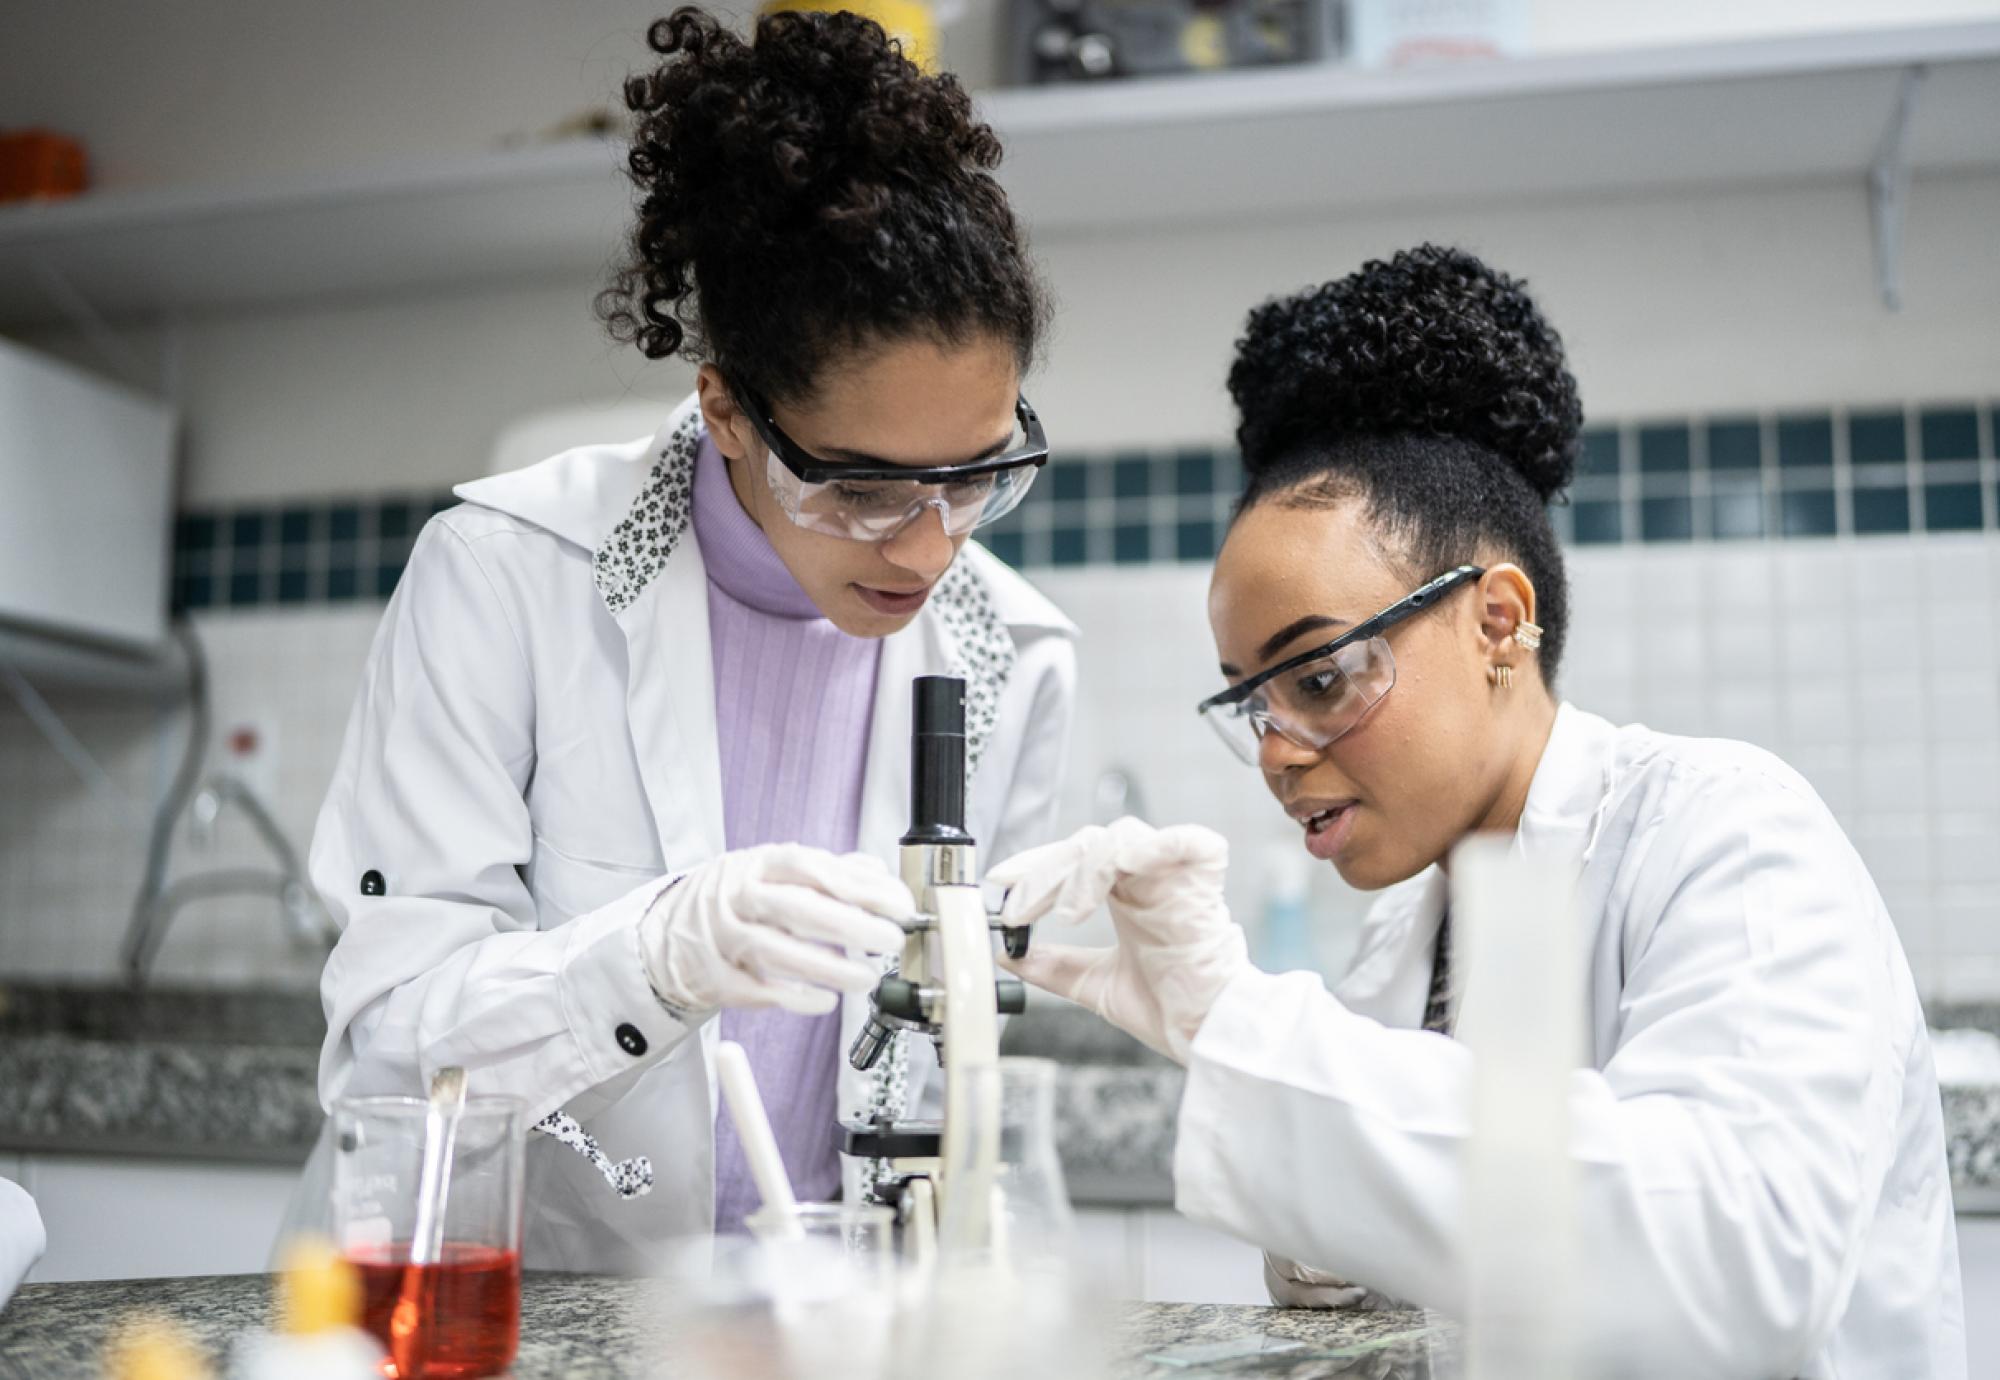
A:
{"points": [[1691, 301]]}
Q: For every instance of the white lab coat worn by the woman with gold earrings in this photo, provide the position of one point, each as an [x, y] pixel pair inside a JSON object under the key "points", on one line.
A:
{"points": [[1759, 1137]]}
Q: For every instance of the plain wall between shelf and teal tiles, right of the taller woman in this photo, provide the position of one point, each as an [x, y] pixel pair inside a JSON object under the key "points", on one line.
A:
{"points": [[1669, 305]]}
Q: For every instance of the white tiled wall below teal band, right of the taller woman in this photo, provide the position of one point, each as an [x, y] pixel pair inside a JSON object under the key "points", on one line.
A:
{"points": [[1869, 665]]}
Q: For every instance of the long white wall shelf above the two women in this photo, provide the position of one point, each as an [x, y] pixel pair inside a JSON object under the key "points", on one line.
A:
{"points": [[1081, 159]]}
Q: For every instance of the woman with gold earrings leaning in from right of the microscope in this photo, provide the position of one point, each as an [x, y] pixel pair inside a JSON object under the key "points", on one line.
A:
{"points": [[1761, 1183]]}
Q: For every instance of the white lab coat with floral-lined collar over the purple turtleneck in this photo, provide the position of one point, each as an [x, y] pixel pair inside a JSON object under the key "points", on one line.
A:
{"points": [[533, 749]]}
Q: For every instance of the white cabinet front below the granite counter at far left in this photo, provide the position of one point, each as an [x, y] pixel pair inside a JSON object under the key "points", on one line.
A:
{"points": [[141, 1219]]}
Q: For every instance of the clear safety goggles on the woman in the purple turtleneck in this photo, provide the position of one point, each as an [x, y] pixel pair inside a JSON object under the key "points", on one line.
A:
{"points": [[873, 503]]}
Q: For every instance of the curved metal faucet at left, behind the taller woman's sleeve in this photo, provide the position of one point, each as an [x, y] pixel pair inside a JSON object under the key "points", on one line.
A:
{"points": [[159, 903]]}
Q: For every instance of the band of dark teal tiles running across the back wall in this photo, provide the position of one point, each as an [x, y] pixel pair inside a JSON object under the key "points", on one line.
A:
{"points": [[1863, 471]]}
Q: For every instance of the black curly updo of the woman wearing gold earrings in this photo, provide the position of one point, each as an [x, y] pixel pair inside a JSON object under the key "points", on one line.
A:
{"points": [[1433, 391]]}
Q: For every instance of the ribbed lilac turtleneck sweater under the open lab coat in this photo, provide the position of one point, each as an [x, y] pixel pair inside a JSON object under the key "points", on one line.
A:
{"points": [[793, 707]]}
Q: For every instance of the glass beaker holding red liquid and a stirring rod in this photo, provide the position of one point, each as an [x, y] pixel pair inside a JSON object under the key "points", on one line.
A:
{"points": [[469, 1301]]}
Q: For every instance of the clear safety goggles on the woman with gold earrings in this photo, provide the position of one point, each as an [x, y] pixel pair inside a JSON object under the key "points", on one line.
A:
{"points": [[1315, 697]]}
